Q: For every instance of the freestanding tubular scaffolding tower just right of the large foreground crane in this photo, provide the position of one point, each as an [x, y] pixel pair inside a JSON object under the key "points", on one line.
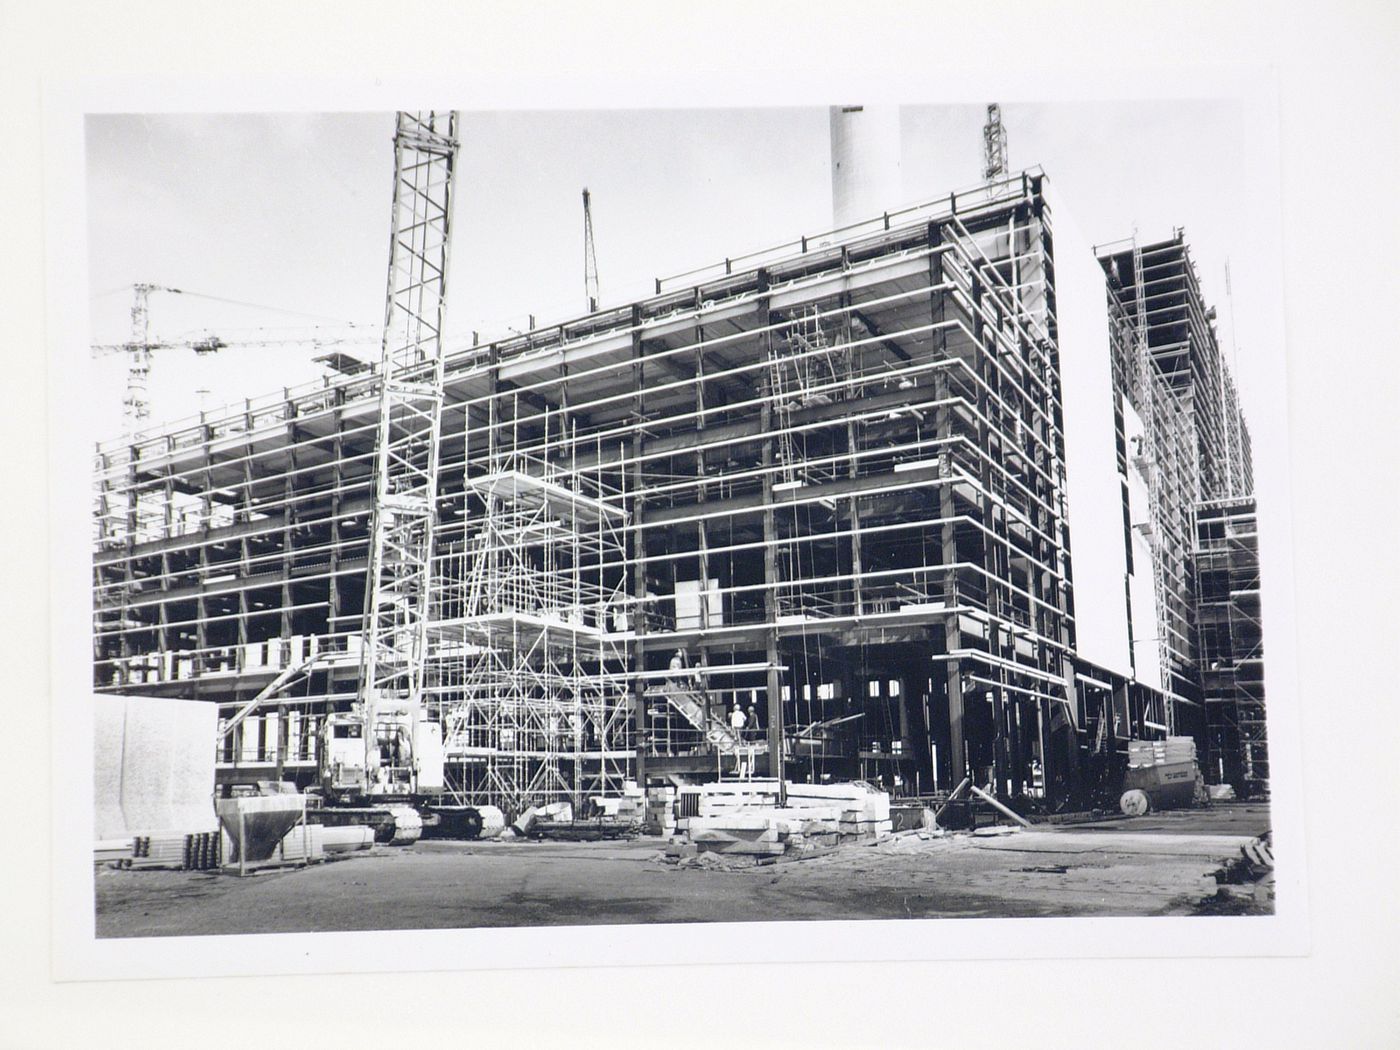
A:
{"points": [[530, 671]]}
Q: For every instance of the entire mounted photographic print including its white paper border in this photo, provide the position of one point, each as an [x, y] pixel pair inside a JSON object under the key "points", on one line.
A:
{"points": [[507, 521]]}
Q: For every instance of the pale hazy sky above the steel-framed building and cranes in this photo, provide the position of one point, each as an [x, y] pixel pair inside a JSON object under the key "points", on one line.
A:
{"points": [[276, 226]]}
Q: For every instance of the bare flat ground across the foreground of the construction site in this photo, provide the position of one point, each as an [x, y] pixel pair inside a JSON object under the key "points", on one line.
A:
{"points": [[1160, 864]]}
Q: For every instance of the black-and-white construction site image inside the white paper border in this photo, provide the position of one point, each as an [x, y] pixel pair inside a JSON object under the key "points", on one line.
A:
{"points": [[905, 568]]}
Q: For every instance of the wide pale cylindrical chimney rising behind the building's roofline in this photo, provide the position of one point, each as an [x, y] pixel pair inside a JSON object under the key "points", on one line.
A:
{"points": [[866, 176]]}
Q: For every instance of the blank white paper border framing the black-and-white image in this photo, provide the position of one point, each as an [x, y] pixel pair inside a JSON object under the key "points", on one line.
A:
{"points": [[79, 955]]}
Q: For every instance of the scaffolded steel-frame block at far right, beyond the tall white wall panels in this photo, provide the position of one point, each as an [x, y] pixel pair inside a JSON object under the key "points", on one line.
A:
{"points": [[1170, 372]]}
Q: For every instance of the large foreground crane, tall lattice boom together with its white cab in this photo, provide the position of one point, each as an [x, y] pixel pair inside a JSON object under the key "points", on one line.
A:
{"points": [[400, 750]]}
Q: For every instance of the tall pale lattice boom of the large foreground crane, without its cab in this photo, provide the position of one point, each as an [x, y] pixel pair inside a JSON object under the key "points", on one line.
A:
{"points": [[411, 416]]}
